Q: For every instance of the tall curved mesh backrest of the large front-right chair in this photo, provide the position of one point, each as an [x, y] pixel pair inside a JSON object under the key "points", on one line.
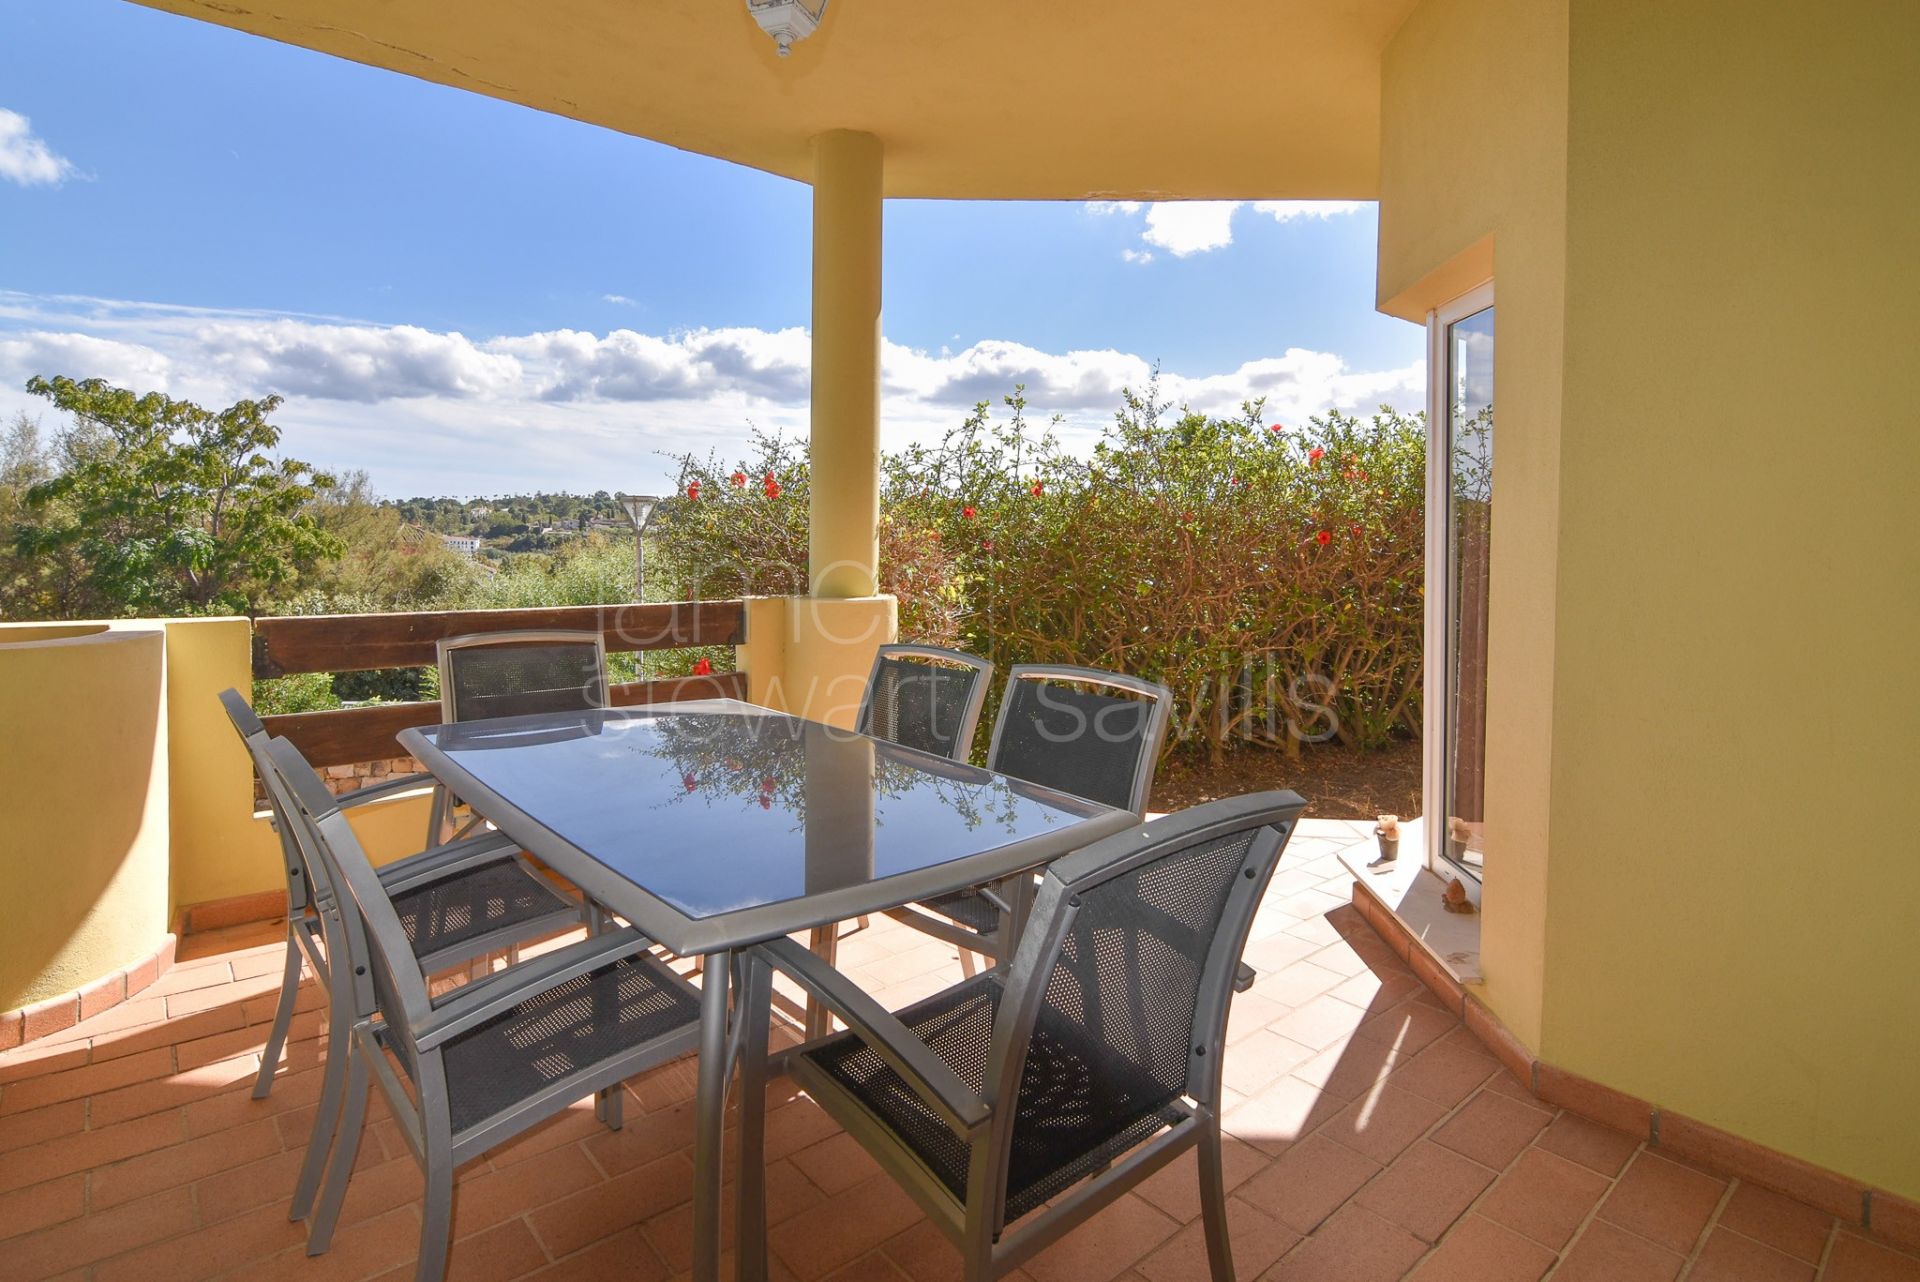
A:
{"points": [[1122, 982]]}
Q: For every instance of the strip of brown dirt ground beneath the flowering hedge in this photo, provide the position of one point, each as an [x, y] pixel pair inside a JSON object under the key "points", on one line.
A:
{"points": [[1337, 782]]}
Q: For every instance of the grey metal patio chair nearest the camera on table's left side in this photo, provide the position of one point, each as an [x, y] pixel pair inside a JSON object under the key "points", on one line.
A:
{"points": [[489, 1060]]}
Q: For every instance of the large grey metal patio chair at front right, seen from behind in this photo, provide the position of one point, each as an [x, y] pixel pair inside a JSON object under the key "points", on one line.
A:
{"points": [[1019, 1103]]}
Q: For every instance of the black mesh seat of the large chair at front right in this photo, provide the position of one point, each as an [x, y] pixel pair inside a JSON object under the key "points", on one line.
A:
{"points": [[1082, 1104]]}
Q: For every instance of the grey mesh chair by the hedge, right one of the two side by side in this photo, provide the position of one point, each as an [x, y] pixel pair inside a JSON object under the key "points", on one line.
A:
{"points": [[1078, 730]]}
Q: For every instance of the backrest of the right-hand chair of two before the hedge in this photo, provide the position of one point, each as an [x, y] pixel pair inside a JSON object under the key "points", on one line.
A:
{"points": [[1080, 730]]}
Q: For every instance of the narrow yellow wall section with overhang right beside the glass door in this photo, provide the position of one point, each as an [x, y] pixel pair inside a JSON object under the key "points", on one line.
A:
{"points": [[1474, 172]]}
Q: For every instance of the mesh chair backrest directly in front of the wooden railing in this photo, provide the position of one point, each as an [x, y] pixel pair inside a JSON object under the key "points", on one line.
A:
{"points": [[521, 673]]}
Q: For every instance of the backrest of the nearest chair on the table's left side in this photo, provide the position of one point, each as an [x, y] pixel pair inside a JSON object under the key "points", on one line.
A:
{"points": [[370, 941]]}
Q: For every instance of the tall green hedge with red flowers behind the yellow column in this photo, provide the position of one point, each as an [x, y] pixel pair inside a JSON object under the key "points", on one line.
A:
{"points": [[1270, 575]]}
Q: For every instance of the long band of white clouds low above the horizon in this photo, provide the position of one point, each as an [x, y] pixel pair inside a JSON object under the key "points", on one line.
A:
{"points": [[444, 414]]}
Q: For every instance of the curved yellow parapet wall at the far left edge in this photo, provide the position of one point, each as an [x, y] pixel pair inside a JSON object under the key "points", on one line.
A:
{"points": [[84, 805]]}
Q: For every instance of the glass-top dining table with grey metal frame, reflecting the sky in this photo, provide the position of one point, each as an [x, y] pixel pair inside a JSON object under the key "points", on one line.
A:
{"points": [[717, 824]]}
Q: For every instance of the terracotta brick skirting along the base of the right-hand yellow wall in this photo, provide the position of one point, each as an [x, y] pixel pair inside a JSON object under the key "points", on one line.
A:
{"points": [[1852, 1202]]}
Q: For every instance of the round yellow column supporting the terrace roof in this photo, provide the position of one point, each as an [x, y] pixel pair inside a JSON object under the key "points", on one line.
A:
{"points": [[846, 414]]}
